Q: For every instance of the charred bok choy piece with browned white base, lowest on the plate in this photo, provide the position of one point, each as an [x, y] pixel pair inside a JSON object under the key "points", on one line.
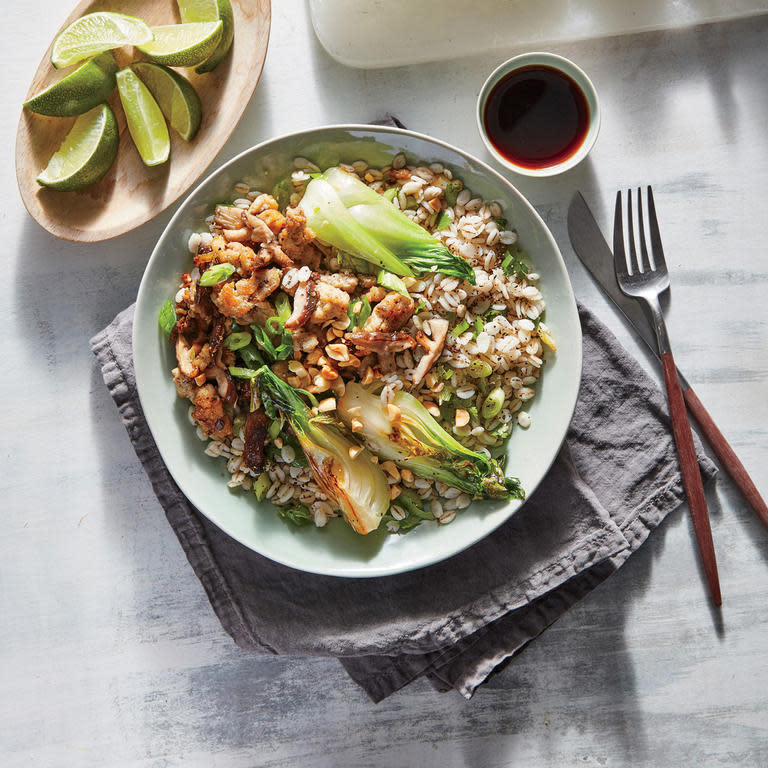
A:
{"points": [[356, 485]]}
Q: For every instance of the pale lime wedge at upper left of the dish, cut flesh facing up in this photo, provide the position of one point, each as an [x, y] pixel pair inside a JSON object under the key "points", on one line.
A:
{"points": [[95, 33]]}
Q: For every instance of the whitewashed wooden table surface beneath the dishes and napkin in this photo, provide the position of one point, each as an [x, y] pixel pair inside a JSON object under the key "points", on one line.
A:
{"points": [[112, 656]]}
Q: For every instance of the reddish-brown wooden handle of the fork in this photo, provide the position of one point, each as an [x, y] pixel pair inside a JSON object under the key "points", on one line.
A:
{"points": [[689, 466]]}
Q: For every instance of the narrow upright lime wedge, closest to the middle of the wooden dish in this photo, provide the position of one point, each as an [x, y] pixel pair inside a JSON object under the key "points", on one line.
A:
{"points": [[145, 120]]}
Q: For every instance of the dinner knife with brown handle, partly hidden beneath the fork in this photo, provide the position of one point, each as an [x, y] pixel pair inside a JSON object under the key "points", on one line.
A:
{"points": [[597, 257]]}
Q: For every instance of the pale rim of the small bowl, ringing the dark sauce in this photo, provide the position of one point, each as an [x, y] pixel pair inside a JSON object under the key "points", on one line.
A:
{"points": [[567, 67]]}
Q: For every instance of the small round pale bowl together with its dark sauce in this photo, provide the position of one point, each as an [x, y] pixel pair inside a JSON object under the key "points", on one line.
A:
{"points": [[538, 114]]}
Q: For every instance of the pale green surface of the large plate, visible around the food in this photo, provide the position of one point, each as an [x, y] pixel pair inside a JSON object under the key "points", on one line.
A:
{"points": [[335, 550]]}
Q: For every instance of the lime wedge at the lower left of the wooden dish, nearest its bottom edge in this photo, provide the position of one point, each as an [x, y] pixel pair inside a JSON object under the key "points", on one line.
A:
{"points": [[86, 153]]}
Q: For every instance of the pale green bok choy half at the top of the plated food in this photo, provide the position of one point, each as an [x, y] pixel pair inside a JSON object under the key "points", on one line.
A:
{"points": [[348, 214]]}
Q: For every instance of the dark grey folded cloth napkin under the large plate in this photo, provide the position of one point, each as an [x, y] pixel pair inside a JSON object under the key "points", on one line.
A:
{"points": [[615, 479]]}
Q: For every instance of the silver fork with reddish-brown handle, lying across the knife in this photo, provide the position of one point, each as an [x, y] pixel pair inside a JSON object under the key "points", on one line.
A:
{"points": [[646, 280]]}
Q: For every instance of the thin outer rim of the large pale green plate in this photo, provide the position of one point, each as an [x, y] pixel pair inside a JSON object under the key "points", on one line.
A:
{"points": [[140, 375]]}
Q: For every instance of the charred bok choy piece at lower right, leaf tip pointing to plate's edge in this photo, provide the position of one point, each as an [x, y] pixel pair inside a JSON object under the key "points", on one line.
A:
{"points": [[416, 441]]}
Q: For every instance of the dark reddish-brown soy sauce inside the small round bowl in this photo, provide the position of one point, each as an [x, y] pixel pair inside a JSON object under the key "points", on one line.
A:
{"points": [[536, 117]]}
